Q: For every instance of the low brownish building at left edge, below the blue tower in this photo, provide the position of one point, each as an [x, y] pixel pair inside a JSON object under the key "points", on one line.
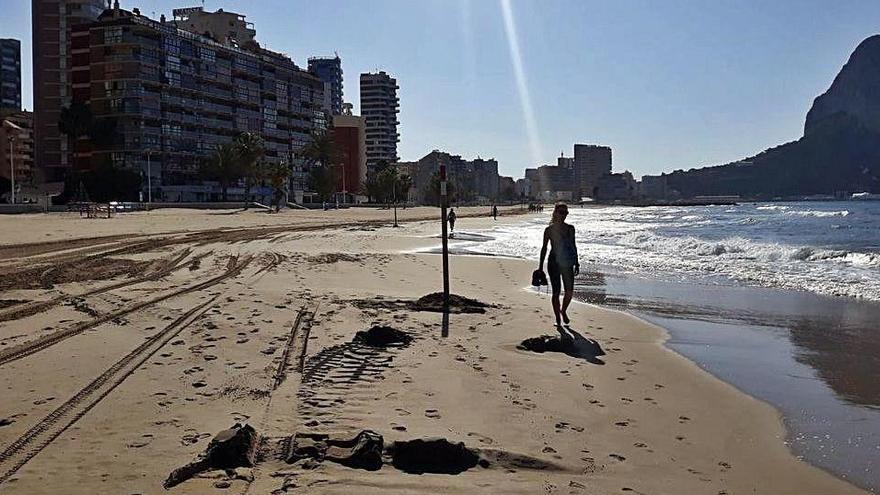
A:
{"points": [[17, 148]]}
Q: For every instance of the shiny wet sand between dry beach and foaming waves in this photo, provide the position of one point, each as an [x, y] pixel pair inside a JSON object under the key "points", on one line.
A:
{"points": [[814, 357]]}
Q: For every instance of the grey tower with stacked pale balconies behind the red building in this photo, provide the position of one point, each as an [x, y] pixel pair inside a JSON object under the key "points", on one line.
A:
{"points": [[379, 107]]}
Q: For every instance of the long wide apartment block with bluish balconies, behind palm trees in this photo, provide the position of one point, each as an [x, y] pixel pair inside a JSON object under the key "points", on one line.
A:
{"points": [[168, 97]]}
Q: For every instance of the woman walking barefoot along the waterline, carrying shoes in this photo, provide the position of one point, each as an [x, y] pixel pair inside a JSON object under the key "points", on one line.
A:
{"points": [[562, 265]]}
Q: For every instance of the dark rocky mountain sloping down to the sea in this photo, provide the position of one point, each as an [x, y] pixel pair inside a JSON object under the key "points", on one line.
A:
{"points": [[840, 150]]}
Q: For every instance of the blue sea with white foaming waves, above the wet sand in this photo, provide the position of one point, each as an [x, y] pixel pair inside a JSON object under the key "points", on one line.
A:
{"points": [[792, 246]]}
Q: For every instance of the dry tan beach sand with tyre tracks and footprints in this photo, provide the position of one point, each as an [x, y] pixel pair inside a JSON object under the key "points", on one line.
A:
{"points": [[126, 346]]}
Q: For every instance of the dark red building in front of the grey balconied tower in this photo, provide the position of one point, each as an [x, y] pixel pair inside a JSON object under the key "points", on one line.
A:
{"points": [[350, 135]]}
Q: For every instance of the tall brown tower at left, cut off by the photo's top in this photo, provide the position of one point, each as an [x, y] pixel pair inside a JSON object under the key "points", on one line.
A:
{"points": [[52, 22]]}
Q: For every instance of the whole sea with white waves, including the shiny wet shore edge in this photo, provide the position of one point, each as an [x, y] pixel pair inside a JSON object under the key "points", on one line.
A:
{"points": [[782, 300]]}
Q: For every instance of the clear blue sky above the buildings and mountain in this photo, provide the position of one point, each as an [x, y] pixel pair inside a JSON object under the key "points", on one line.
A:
{"points": [[667, 84]]}
